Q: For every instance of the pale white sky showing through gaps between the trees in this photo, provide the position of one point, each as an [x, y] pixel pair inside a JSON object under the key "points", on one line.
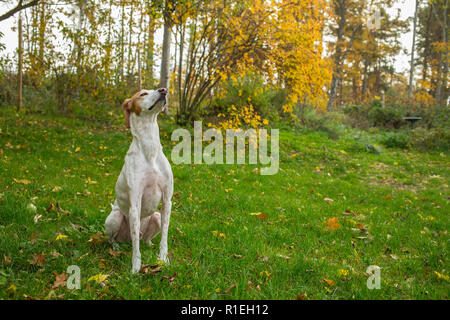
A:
{"points": [[401, 61]]}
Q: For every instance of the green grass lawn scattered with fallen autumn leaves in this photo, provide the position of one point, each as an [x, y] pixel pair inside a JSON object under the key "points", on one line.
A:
{"points": [[392, 209]]}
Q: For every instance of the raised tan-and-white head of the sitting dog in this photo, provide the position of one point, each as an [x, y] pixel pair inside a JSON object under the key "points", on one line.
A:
{"points": [[146, 101]]}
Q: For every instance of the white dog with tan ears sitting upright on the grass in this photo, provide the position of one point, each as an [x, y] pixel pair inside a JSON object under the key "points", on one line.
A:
{"points": [[146, 179]]}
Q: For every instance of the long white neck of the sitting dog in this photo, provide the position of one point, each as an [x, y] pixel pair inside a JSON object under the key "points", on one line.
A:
{"points": [[145, 131]]}
